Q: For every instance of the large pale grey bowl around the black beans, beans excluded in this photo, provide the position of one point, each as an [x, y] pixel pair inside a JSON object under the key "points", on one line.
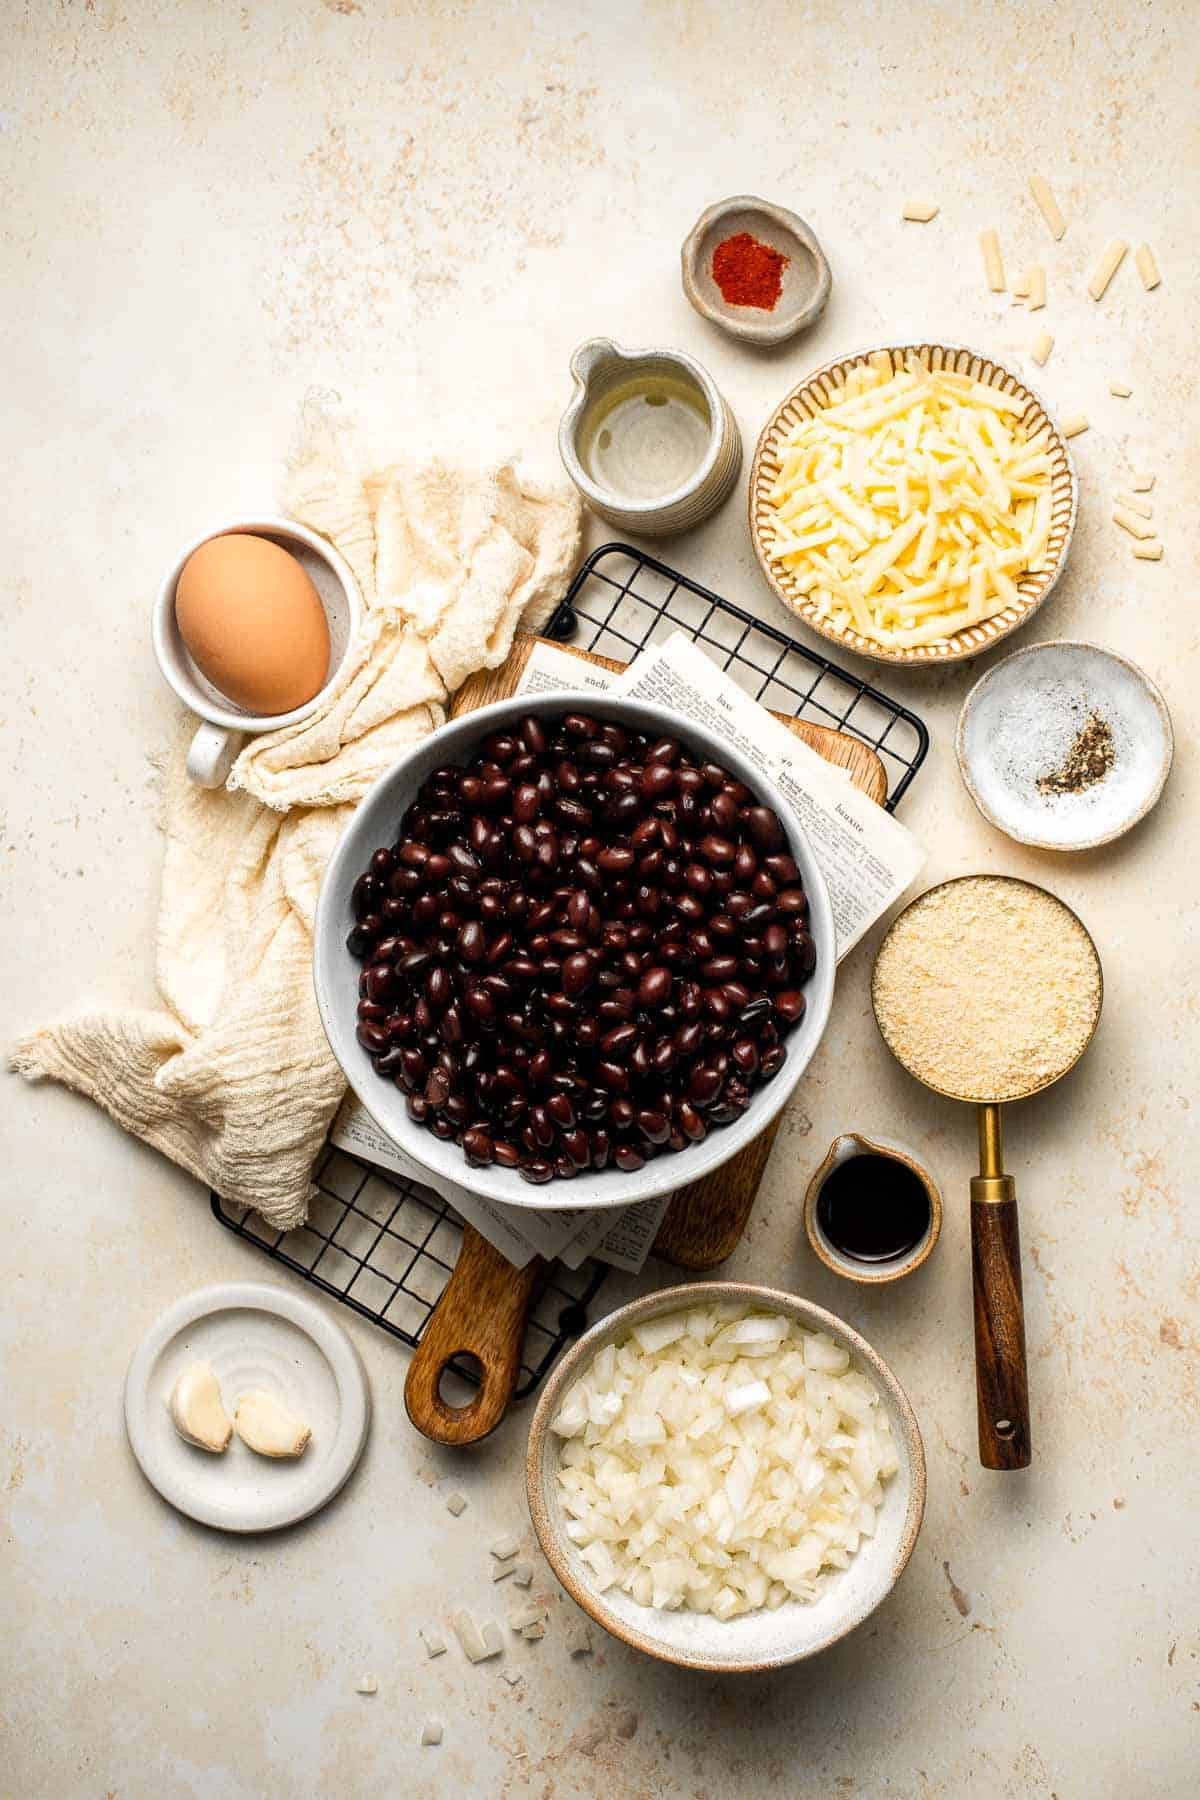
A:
{"points": [[336, 971]]}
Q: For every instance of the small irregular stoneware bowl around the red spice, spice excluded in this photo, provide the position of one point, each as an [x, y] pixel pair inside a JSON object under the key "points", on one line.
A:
{"points": [[805, 287]]}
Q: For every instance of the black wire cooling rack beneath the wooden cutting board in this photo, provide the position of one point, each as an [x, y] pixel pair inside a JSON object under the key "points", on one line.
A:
{"points": [[386, 1246]]}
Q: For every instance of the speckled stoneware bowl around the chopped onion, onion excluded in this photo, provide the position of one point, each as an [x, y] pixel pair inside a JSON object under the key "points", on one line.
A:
{"points": [[757, 1641]]}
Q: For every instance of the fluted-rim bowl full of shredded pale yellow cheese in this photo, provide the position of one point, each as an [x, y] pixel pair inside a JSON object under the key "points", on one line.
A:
{"points": [[913, 503]]}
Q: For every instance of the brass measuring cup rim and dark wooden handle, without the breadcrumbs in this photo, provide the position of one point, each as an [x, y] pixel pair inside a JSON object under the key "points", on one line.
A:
{"points": [[1001, 1374]]}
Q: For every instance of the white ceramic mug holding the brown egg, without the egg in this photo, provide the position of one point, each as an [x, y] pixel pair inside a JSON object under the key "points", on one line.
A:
{"points": [[219, 741]]}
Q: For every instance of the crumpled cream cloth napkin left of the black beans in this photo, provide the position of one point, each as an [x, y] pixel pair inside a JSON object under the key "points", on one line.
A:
{"points": [[233, 1079]]}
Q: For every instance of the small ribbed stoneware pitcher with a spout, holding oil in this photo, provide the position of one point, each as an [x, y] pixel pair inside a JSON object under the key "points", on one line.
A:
{"points": [[598, 368]]}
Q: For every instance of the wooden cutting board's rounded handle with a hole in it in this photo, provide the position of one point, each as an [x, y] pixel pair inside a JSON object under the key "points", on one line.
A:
{"points": [[481, 1313]]}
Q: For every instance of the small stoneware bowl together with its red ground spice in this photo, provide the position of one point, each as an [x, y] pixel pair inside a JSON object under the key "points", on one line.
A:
{"points": [[757, 271]]}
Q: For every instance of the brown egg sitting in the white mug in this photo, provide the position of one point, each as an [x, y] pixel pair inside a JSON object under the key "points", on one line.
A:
{"points": [[253, 624]]}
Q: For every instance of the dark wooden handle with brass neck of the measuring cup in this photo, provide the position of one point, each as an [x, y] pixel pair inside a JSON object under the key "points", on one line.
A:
{"points": [[1001, 1374]]}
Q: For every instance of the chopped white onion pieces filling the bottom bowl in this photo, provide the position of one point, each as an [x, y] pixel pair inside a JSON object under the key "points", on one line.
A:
{"points": [[722, 1461]]}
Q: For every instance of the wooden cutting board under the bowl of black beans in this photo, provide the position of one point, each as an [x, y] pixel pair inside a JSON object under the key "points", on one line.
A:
{"points": [[487, 1302]]}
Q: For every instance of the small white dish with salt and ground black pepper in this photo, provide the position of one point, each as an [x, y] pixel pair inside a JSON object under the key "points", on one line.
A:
{"points": [[1064, 746]]}
